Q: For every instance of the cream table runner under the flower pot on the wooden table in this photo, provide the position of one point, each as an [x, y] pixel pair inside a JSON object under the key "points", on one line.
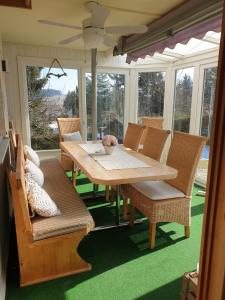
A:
{"points": [[118, 160]]}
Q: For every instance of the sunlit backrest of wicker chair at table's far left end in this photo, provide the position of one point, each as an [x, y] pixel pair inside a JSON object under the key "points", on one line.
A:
{"points": [[68, 125]]}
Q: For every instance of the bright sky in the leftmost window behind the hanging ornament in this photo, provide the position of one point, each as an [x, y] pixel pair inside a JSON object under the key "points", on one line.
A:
{"points": [[64, 83]]}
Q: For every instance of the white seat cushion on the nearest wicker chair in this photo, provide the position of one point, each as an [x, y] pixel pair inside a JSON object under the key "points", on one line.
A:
{"points": [[158, 190]]}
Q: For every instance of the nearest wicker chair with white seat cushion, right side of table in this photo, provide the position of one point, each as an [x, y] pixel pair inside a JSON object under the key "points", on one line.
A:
{"points": [[169, 201]]}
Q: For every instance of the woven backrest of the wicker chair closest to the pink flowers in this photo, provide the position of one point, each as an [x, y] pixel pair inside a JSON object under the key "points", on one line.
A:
{"points": [[133, 136]]}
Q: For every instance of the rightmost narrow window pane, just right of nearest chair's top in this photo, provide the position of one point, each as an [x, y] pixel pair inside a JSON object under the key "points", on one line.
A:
{"points": [[209, 85]]}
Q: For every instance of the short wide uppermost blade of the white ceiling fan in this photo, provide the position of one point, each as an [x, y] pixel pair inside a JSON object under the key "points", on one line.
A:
{"points": [[98, 13]]}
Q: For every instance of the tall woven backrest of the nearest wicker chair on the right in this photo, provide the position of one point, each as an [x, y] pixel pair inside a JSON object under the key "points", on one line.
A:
{"points": [[184, 154]]}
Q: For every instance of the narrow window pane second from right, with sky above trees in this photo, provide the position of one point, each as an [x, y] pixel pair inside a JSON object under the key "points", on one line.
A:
{"points": [[183, 97]]}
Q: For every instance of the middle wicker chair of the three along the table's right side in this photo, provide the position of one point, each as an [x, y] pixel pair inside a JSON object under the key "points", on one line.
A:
{"points": [[153, 147]]}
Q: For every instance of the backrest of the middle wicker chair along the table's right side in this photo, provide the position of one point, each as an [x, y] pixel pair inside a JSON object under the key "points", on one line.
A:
{"points": [[154, 142]]}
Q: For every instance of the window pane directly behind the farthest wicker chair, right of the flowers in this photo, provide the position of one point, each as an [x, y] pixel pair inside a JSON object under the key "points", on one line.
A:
{"points": [[151, 86]]}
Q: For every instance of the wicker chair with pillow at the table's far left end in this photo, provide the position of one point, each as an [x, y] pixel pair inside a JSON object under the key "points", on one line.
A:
{"points": [[68, 125]]}
